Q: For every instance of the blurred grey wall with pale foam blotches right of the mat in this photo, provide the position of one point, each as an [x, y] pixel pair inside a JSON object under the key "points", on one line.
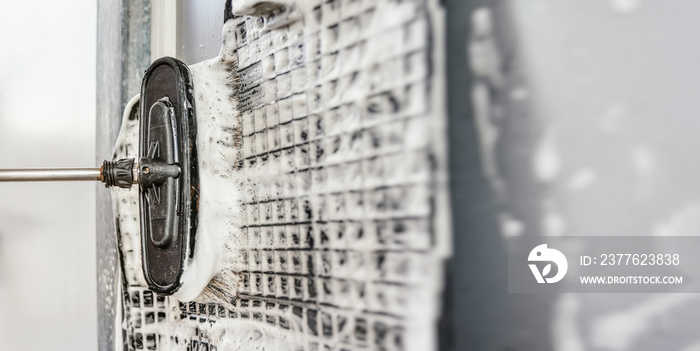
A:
{"points": [[571, 118]]}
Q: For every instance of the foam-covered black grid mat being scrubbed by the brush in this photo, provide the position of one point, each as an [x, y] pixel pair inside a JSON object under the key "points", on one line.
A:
{"points": [[339, 247]]}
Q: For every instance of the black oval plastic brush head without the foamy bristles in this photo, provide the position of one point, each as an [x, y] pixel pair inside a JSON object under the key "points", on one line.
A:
{"points": [[167, 146]]}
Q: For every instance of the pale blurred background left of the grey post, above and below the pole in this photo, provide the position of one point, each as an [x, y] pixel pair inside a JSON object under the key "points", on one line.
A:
{"points": [[47, 231]]}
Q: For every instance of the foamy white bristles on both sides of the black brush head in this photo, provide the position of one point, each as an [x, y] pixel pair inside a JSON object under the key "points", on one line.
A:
{"points": [[210, 275]]}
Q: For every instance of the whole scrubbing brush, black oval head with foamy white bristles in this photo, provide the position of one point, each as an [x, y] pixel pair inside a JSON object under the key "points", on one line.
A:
{"points": [[179, 239]]}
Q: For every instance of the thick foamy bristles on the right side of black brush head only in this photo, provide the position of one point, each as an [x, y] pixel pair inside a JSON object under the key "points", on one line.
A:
{"points": [[210, 276]]}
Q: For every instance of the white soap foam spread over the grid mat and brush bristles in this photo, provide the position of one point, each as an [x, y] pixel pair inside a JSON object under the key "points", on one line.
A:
{"points": [[223, 185]]}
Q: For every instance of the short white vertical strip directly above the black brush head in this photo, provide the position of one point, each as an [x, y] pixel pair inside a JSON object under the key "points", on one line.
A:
{"points": [[163, 28]]}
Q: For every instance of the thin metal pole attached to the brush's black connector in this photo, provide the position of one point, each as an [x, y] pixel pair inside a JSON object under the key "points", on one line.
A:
{"points": [[50, 174]]}
